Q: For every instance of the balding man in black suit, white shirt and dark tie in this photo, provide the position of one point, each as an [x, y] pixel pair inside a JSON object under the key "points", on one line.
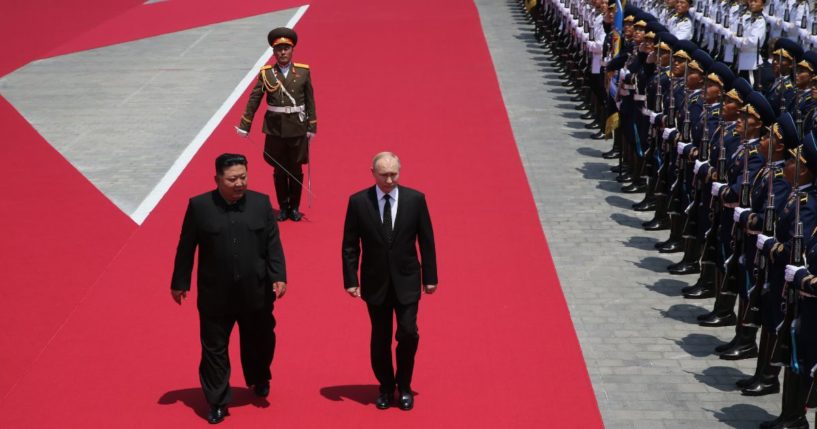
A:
{"points": [[386, 223]]}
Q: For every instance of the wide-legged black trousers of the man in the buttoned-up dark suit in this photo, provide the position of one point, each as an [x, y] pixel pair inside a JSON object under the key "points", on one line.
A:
{"points": [[257, 339]]}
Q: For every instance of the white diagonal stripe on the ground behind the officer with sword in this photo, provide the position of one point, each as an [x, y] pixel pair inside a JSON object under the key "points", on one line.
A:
{"points": [[149, 203]]}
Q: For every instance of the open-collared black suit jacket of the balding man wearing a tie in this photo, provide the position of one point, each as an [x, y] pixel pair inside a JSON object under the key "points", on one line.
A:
{"points": [[382, 263]]}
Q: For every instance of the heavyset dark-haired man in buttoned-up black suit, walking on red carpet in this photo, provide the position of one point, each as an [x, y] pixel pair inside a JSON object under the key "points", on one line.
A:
{"points": [[240, 273]]}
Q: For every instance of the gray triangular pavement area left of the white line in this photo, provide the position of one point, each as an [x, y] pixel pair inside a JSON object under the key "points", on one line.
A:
{"points": [[123, 114]]}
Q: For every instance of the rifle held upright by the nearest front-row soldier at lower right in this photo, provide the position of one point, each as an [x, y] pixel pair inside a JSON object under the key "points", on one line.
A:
{"points": [[782, 354]]}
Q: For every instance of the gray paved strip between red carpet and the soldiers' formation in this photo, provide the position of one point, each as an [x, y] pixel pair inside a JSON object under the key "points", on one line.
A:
{"points": [[650, 363]]}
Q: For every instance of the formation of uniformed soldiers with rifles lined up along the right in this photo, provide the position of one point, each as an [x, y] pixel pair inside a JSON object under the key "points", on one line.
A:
{"points": [[711, 109]]}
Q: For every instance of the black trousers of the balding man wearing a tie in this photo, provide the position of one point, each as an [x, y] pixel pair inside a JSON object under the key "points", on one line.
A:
{"points": [[407, 337]]}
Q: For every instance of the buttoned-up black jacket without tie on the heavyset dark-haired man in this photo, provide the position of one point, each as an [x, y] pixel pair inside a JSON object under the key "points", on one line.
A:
{"points": [[240, 253]]}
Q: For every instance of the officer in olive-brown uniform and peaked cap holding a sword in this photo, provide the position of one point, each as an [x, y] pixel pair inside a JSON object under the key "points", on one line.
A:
{"points": [[290, 121]]}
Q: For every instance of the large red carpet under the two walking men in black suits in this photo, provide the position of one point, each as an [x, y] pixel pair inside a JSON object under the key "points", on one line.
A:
{"points": [[92, 338]]}
